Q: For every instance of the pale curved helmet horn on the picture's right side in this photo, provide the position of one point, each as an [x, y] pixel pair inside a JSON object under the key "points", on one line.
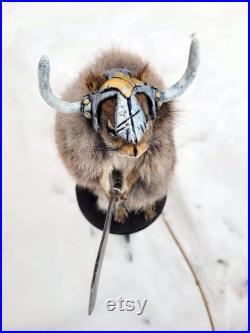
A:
{"points": [[181, 86]]}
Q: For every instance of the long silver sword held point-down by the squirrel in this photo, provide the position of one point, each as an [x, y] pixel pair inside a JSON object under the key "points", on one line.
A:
{"points": [[115, 181]]}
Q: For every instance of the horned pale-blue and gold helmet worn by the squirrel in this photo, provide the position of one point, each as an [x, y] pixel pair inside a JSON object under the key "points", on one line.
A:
{"points": [[130, 120]]}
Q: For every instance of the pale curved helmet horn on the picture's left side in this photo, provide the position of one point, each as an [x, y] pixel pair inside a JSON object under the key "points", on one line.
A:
{"points": [[47, 94]]}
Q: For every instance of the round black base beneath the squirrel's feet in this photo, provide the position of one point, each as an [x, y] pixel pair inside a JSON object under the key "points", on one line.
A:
{"points": [[135, 221]]}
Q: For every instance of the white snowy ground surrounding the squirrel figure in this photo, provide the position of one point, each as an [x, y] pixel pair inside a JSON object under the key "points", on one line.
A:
{"points": [[49, 248]]}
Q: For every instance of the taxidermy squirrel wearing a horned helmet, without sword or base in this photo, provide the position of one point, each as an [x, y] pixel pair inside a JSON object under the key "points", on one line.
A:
{"points": [[119, 115]]}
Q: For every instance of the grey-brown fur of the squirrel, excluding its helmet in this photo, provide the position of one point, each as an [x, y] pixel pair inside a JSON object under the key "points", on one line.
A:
{"points": [[146, 178]]}
